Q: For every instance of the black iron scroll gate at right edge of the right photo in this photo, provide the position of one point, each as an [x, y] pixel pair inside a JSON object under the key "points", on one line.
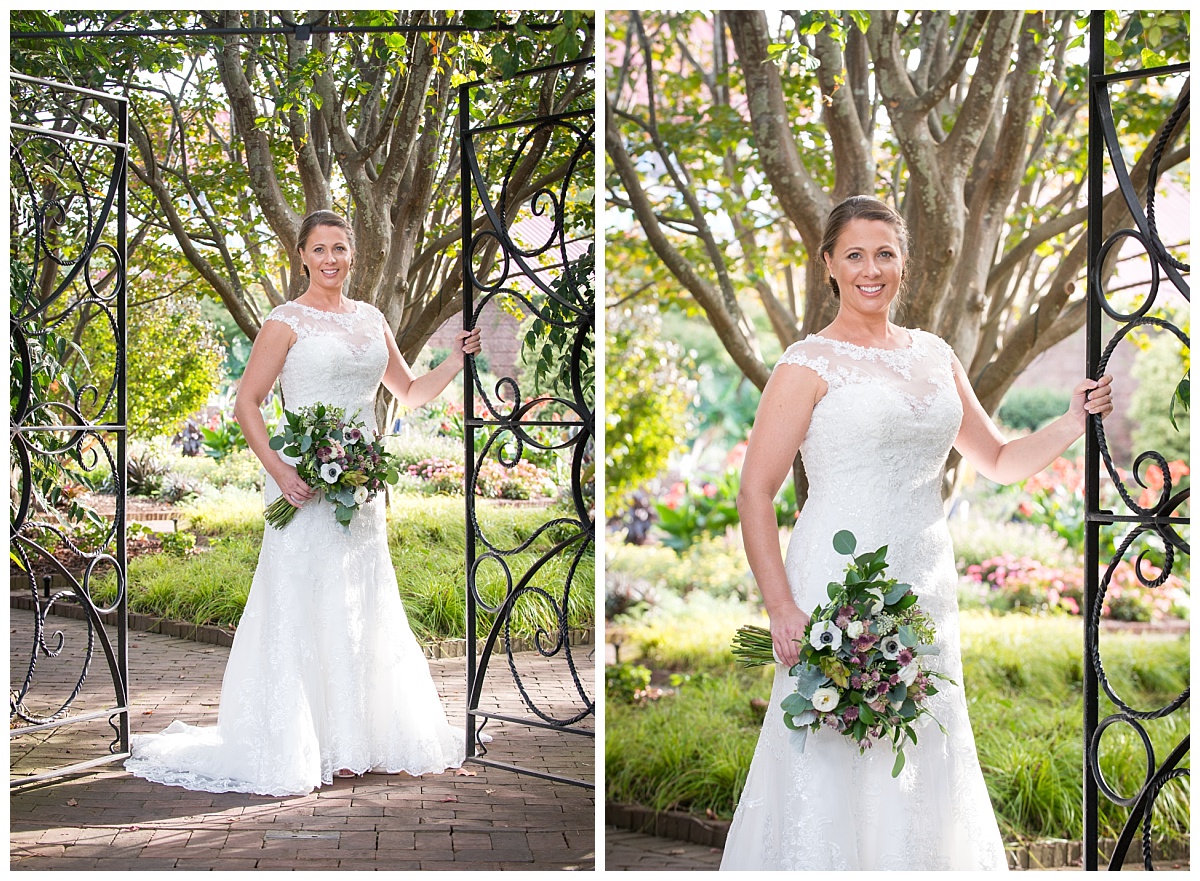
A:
{"points": [[1160, 520]]}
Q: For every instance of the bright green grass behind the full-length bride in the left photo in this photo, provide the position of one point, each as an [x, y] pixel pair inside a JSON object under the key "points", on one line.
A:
{"points": [[427, 538]]}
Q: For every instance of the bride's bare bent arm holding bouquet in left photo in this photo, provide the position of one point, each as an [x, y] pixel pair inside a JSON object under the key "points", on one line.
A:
{"points": [[262, 370]]}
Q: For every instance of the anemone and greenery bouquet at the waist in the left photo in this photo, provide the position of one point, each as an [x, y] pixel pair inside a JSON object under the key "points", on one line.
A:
{"points": [[338, 457]]}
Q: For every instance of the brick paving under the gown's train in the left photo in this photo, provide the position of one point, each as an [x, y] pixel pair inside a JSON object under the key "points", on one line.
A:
{"points": [[483, 819]]}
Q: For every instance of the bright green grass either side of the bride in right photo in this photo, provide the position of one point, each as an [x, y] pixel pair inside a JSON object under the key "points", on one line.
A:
{"points": [[691, 752]]}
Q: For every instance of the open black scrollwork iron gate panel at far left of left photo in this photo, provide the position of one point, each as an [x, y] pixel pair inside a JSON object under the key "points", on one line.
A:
{"points": [[68, 257]]}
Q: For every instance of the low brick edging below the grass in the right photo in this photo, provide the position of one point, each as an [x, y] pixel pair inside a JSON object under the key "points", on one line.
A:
{"points": [[1053, 854]]}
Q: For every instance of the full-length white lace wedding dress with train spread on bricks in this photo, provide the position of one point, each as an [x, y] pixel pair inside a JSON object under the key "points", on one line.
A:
{"points": [[325, 673]]}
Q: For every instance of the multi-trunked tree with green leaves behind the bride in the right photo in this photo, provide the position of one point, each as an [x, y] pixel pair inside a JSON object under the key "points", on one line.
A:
{"points": [[730, 136]]}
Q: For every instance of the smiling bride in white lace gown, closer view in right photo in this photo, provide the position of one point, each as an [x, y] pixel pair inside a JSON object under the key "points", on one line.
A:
{"points": [[874, 410]]}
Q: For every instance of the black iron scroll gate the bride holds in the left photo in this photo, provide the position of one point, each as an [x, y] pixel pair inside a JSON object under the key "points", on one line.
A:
{"points": [[531, 251]]}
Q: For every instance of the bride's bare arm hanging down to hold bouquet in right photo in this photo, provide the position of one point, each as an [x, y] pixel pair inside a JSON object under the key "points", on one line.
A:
{"points": [[779, 428]]}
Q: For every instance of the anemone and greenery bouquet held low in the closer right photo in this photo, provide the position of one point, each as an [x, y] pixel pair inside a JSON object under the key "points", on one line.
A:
{"points": [[861, 669]]}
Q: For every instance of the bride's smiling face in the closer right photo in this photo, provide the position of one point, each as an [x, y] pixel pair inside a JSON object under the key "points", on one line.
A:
{"points": [[867, 263]]}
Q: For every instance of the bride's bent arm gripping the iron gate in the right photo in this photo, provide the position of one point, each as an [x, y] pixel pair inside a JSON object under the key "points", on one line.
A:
{"points": [[1010, 462]]}
